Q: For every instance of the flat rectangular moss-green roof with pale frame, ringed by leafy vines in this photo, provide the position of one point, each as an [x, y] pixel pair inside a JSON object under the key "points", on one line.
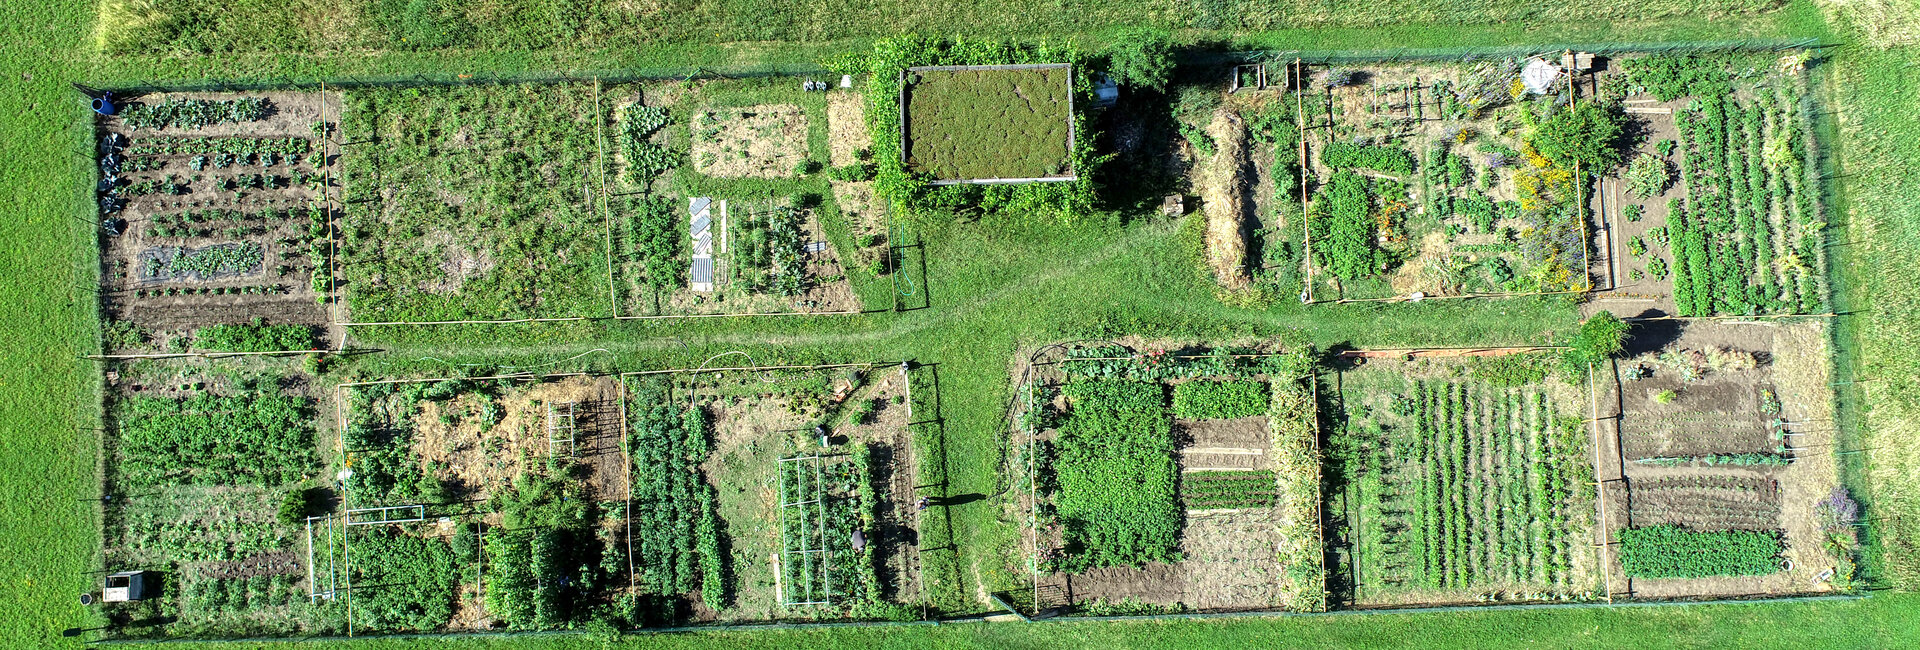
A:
{"points": [[990, 124]]}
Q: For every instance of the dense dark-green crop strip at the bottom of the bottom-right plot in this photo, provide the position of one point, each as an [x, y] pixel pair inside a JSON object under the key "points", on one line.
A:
{"points": [[1669, 551]]}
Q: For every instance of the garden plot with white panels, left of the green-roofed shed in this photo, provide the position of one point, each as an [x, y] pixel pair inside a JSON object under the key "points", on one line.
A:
{"points": [[709, 239]]}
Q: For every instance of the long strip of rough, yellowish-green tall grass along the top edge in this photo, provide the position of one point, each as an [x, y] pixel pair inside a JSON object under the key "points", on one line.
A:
{"points": [[358, 26]]}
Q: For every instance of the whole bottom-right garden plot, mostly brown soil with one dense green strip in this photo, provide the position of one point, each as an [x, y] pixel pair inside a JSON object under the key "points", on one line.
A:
{"points": [[1719, 467]]}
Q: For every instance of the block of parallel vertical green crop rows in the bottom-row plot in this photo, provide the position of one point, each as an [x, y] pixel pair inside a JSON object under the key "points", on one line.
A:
{"points": [[1464, 486]]}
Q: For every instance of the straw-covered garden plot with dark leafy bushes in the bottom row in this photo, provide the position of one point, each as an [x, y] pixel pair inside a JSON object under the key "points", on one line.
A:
{"points": [[510, 488]]}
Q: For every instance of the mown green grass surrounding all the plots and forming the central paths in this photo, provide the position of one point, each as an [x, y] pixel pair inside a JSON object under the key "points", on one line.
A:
{"points": [[996, 285]]}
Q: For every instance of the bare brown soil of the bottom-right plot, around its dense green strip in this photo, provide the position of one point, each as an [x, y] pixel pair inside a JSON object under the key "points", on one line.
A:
{"points": [[1779, 498]]}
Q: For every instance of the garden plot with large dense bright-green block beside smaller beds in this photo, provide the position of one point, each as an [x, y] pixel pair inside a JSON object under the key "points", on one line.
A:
{"points": [[1172, 484]]}
